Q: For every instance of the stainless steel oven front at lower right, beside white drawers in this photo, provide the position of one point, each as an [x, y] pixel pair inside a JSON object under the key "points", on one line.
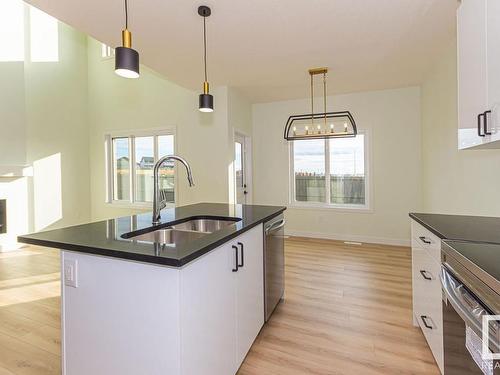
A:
{"points": [[466, 301]]}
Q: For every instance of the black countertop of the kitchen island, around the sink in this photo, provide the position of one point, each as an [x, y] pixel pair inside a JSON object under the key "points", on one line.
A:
{"points": [[105, 237]]}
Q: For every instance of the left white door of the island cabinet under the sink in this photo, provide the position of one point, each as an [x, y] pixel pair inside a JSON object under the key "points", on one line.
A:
{"points": [[208, 314]]}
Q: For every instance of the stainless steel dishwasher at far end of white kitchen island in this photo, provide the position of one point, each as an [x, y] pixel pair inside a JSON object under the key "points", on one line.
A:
{"points": [[274, 263]]}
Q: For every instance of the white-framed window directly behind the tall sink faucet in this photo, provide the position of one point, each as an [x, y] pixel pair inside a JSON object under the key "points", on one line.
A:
{"points": [[131, 159]]}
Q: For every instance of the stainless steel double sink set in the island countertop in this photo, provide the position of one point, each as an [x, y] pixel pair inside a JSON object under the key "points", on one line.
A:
{"points": [[184, 231]]}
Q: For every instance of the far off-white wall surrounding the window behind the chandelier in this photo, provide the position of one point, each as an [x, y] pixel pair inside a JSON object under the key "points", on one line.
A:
{"points": [[392, 118]]}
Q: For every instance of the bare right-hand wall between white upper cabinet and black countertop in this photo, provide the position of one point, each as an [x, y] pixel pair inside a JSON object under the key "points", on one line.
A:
{"points": [[455, 182]]}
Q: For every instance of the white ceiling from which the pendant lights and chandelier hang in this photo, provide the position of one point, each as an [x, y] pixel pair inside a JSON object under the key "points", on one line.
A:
{"points": [[264, 47]]}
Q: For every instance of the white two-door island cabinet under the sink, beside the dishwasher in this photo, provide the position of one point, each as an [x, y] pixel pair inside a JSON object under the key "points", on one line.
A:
{"points": [[222, 306]]}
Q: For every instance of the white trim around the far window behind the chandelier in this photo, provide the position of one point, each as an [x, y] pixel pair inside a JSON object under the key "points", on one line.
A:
{"points": [[366, 208]]}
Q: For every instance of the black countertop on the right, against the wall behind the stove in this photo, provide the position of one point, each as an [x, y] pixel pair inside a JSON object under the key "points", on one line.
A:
{"points": [[461, 227]]}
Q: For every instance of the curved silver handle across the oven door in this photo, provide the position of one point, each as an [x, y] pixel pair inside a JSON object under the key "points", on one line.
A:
{"points": [[463, 302]]}
